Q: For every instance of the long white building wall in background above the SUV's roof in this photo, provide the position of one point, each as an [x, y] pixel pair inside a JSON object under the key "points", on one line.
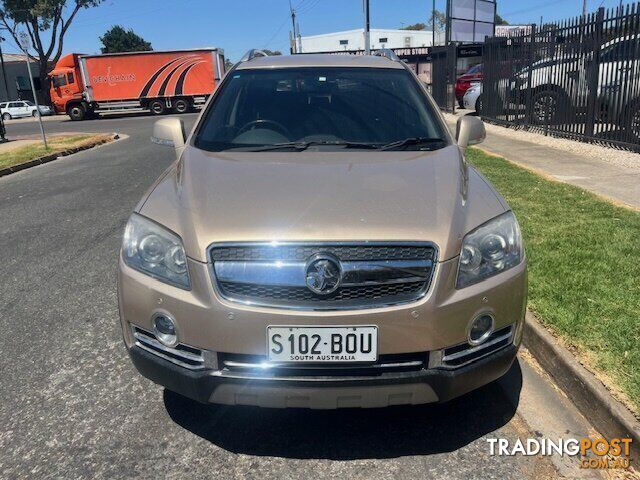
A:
{"points": [[330, 42]]}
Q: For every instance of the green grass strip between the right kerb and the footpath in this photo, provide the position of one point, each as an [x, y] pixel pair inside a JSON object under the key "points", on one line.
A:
{"points": [[584, 267]]}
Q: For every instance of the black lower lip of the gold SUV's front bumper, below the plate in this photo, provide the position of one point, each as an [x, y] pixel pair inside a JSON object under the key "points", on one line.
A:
{"points": [[409, 388]]}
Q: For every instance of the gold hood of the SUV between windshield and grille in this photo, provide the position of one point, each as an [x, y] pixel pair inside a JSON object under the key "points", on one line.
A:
{"points": [[321, 196]]}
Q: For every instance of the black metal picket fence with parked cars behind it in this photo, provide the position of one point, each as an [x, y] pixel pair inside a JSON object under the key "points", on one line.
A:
{"points": [[577, 79]]}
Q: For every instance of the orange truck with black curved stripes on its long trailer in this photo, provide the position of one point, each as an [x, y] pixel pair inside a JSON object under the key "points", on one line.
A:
{"points": [[178, 81]]}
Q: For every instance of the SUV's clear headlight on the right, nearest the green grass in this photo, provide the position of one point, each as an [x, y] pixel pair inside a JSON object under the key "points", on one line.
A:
{"points": [[490, 249]]}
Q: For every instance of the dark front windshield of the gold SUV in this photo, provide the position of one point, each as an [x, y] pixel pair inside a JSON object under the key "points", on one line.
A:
{"points": [[353, 107]]}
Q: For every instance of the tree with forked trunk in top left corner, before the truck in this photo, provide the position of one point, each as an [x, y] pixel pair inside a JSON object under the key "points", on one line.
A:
{"points": [[46, 24]]}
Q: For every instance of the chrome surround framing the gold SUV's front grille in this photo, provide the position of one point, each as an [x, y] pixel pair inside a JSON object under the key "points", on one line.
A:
{"points": [[398, 243]]}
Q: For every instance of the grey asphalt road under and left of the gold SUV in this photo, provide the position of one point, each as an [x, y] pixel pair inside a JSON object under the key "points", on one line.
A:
{"points": [[72, 406]]}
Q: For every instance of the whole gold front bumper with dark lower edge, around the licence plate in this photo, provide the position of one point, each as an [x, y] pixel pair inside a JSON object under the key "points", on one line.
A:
{"points": [[434, 326]]}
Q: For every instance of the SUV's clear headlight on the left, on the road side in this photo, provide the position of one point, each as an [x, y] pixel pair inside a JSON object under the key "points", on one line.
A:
{"points": [[156, 251]]}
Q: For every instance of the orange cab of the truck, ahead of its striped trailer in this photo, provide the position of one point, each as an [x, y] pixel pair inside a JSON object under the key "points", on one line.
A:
{"points": [[66, 83]]}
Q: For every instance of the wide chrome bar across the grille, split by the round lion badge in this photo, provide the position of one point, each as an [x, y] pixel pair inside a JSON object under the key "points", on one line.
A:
{"points": [[292, 274]]}
